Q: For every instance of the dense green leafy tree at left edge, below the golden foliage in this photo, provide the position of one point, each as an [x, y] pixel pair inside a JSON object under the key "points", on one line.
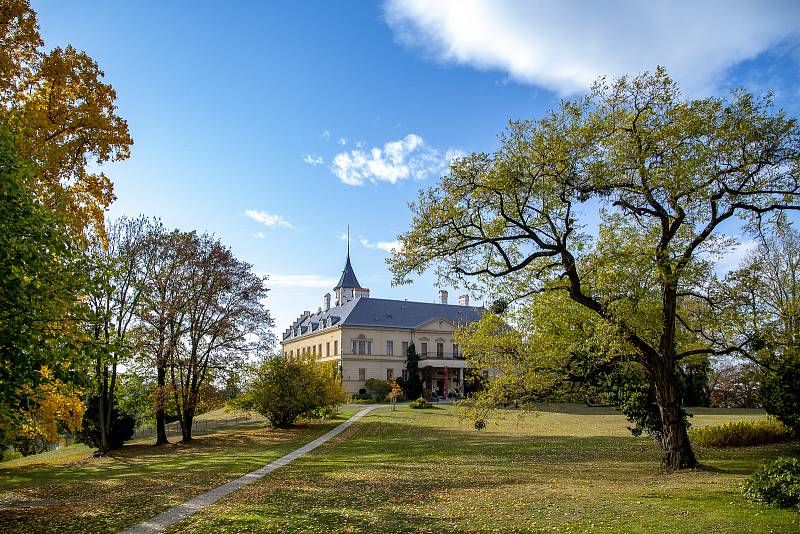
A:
{"points": [[42, 277]]}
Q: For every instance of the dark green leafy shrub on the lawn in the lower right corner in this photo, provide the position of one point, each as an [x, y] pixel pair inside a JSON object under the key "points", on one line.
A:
{"points": [[776, 484]]}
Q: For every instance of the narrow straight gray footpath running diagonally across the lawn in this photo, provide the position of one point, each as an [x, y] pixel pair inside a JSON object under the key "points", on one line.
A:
{"points": [[192, 506]]}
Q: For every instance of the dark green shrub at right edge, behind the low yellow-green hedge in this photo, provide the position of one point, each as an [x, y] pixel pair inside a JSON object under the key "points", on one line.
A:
{"points": [[780, 396]]}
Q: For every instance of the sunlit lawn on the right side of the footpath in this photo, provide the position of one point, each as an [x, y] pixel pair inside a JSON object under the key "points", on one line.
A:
{"points": [[570, 468]]}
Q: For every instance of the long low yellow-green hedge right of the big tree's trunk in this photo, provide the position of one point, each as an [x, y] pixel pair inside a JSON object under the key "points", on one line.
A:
{"points": [[741, 433]]}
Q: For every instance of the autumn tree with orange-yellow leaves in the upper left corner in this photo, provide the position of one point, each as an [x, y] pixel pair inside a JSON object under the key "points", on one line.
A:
{"points": [[64, 117]]}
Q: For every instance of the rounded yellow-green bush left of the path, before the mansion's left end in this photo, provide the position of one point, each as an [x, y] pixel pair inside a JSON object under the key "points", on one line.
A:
{"points": [[286, 388]]}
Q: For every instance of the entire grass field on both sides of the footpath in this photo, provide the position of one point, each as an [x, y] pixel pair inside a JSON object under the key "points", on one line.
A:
{"points": [[566, 468]]}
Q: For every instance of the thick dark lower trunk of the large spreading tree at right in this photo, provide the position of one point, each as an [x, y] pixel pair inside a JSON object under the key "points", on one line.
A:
{"points": [[678, 453]]}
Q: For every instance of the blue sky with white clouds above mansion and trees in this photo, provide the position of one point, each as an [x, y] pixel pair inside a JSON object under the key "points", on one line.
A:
{"points": [[273, 126]]}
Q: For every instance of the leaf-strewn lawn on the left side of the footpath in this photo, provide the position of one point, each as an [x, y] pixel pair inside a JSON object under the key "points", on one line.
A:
{"points": [[69, 491]]}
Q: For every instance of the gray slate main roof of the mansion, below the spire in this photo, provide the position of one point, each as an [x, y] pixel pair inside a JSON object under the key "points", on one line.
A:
{"points": [[384, 313]]}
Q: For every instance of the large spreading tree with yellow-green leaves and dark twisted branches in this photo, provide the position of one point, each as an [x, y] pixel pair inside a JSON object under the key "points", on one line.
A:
{"points": [[663, 173]]}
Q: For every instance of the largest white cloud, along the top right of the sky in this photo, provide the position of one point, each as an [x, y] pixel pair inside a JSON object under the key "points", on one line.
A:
{"points": [[567, 45]]}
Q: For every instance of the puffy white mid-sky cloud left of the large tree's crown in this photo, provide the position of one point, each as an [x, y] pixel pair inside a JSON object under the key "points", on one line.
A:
{"points": [[405, 158]]}
